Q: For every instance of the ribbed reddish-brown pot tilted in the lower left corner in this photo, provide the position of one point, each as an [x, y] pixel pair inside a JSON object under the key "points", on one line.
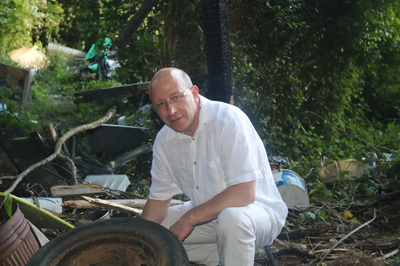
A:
{"points": [[17, 243]]}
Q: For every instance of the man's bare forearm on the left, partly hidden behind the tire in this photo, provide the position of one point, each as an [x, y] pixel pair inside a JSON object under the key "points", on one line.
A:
{"points": [[156, 210]]}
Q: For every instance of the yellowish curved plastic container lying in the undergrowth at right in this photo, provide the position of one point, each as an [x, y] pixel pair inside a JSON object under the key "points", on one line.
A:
{"points": [[355, 168]]}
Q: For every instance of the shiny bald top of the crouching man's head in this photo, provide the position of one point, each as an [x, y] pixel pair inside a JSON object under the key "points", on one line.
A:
{"points": [[170, 74]]}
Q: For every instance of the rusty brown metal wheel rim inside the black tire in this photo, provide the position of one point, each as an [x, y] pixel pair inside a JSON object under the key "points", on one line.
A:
{"points": [[110, 249]]}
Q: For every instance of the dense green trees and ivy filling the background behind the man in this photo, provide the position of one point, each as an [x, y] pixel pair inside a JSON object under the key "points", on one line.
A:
{"points": [[317, 79]]}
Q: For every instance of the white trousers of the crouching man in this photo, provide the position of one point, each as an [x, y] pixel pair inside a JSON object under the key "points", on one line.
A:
{"points": [[230, 240]]}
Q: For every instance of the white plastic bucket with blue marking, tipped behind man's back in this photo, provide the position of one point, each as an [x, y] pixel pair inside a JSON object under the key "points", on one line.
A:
{"points": [[292, 188]]}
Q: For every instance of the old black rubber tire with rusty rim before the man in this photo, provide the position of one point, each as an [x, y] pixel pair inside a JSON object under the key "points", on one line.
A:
{"points": [[117, 242]]}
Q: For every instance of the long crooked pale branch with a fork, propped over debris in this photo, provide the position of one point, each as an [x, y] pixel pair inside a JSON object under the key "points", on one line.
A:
{"points": [[57, 153]]}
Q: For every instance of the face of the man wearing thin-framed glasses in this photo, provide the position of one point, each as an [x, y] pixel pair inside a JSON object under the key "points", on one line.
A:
{"points": [[182, 116]]}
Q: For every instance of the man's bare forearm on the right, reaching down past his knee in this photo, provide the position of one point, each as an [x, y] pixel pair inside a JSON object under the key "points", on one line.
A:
{"points": [[238, 195]]}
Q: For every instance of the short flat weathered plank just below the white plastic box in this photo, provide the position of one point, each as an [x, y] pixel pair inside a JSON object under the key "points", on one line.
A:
{"points": [[77, 190]]}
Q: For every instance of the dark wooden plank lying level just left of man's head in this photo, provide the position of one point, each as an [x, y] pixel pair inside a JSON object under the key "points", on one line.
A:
{"points": [[124, 91]]}
